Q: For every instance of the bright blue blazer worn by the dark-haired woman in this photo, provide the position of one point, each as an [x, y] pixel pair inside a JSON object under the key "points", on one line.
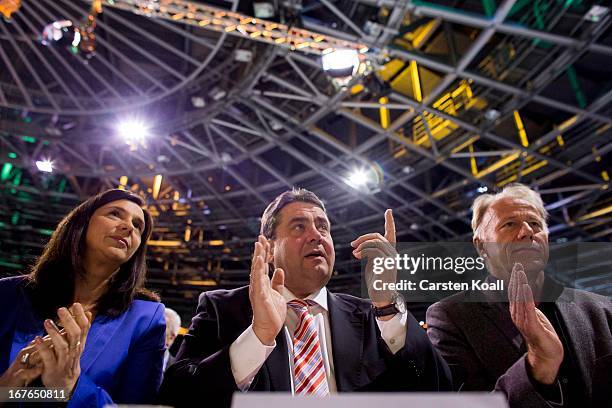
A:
{"points": [[123, 356]]}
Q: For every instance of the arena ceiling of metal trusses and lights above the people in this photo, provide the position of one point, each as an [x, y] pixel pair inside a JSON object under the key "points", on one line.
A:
{"points": [[453, 98]]}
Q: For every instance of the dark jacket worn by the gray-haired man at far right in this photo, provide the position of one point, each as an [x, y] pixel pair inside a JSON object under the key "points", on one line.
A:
{"points": [[483, 347]]}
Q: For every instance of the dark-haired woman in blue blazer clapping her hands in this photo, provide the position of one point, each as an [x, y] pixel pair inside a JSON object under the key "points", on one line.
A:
{"points": [[90, 281]]}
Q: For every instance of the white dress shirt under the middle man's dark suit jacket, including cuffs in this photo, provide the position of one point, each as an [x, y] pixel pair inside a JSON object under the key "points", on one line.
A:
{"points": [[248, 353]]}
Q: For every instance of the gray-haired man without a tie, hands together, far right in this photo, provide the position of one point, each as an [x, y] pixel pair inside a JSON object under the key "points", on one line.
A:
{"points": [[543, 345]]}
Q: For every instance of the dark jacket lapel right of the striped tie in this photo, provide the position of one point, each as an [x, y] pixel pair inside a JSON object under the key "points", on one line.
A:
{"points": [[347, 331]]}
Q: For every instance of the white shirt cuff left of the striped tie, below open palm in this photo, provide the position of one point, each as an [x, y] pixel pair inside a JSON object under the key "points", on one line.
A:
{"points": [[247, 355]]}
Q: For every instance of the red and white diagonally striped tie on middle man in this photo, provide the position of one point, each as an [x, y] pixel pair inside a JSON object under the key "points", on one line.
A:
{"points": [[309, 376]]}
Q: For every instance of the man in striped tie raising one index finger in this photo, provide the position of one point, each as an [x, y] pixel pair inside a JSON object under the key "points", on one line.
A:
{"points": [[290, 334]]}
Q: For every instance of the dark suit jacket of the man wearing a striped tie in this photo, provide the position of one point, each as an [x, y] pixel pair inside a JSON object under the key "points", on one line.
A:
{"points": [[362, 361]]}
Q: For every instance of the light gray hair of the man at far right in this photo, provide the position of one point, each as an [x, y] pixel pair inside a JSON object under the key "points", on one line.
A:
{"points": [[514, 190]]}
